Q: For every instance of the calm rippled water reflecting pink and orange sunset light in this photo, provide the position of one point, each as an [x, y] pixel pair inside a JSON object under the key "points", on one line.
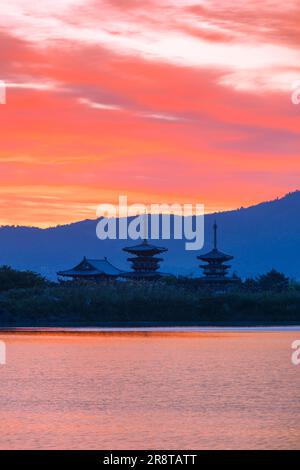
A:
{"points": [[150, 389]]}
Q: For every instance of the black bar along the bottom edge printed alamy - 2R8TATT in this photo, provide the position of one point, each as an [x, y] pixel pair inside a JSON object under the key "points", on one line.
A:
{"points": [[148, 458]]}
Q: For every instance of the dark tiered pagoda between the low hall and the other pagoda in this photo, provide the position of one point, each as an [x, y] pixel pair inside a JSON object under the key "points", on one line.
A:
{"points": [[145, 264]]}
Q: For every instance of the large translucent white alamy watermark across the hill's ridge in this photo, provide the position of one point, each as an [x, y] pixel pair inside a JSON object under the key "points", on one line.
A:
{"points": [[157, 221]]}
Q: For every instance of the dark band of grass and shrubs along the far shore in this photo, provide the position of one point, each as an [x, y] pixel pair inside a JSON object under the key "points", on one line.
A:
{"points": [[144, 302]]}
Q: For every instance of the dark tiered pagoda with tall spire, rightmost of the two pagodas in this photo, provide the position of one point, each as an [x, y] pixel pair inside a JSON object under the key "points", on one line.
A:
{"points": [[216, 271]]}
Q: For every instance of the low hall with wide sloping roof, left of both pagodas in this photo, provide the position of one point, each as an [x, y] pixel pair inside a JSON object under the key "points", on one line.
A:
{"points": [[92, 267]]}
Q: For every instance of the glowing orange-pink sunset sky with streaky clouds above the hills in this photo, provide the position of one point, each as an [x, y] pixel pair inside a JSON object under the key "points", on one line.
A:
{"points": [[162, 100]]}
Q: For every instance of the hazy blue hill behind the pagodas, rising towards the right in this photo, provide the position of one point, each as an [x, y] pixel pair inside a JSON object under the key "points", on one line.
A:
{"points": [[260, 237]]}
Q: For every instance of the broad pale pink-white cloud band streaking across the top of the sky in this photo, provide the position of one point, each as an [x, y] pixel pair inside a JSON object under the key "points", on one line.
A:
{"points": [[179, 33]]}
